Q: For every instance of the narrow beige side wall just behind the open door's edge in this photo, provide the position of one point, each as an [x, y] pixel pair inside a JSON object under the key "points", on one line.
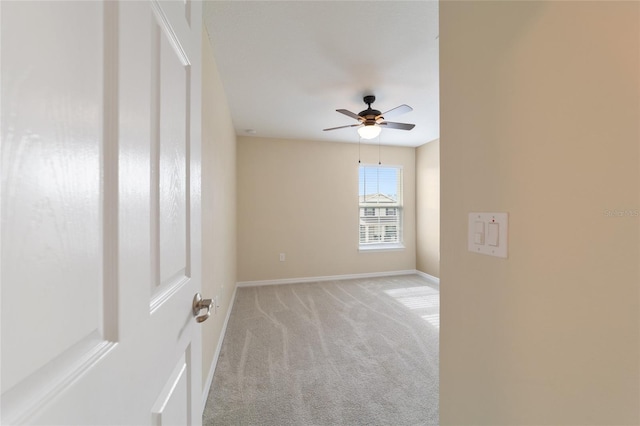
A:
{"points": [[218, 203]]}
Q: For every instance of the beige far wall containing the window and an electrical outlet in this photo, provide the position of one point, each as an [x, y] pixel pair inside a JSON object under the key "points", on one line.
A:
{"points": [[301, 198]]}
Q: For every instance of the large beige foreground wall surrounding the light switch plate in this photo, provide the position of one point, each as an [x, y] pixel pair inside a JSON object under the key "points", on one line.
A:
{"points": [[539, 118]]}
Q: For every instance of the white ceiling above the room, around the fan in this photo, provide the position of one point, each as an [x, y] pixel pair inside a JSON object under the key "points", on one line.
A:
{"points": [[288, 65]]}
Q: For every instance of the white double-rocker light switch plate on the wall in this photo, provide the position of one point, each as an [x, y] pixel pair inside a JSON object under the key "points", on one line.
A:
{"points": [[489, 246]]}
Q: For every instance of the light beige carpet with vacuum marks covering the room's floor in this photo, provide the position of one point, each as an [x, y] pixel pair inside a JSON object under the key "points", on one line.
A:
{"points": [[353, 352]]}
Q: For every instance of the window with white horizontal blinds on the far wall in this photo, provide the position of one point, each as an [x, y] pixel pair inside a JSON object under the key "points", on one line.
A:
{"points": [[380, 202]]}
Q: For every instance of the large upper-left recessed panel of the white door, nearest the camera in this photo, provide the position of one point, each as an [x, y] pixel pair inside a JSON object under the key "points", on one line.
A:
{"points": [[51, 189]]}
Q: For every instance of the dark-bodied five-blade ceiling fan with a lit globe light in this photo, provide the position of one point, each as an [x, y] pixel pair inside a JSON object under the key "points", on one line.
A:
{"points": [[370, 121]]}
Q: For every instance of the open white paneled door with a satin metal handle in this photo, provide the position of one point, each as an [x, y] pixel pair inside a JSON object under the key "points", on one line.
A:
{"points": [[100, 212]]}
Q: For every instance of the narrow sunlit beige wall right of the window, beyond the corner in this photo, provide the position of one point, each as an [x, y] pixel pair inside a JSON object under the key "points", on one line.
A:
{"points": [[428, 208]]}
